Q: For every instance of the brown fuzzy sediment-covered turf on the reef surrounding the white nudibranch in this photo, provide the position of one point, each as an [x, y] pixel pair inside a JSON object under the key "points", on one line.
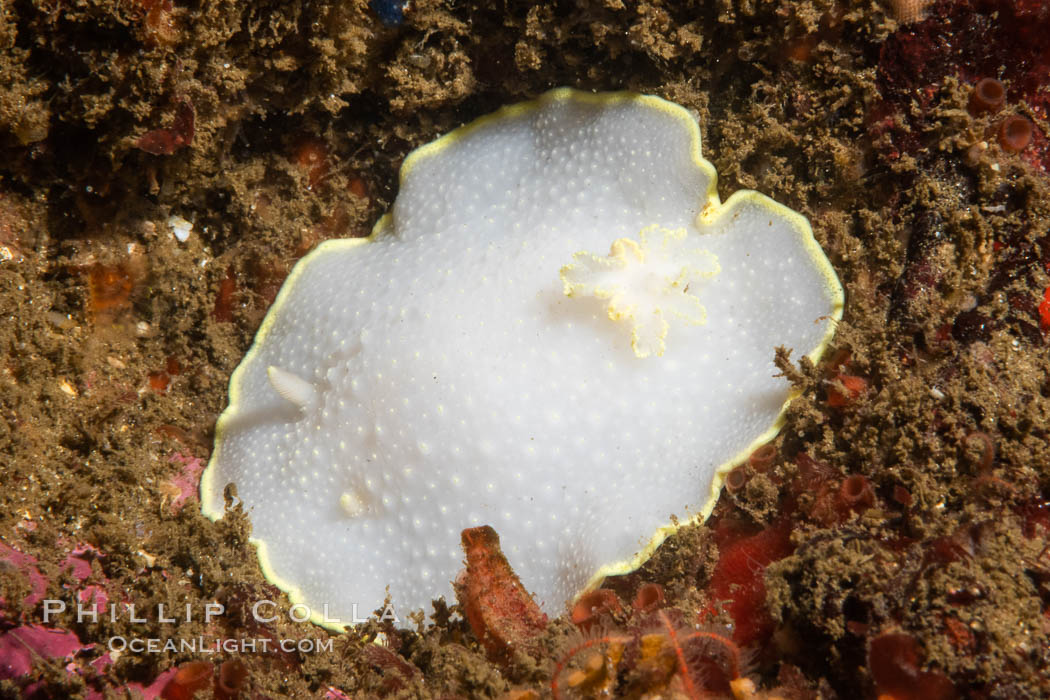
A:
{"points": [[301, 117]]}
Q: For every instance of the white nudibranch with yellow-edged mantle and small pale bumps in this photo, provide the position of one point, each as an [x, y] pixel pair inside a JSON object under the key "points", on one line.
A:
{"points": [[559, 331]]}
